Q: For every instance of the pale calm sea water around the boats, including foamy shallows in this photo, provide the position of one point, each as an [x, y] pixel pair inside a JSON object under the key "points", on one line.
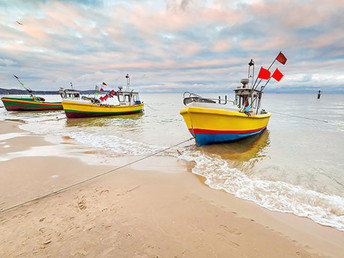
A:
{"points": [[295, 166]]}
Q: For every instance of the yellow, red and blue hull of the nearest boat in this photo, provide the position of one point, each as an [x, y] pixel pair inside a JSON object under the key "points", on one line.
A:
{"points": [[210, 126]]}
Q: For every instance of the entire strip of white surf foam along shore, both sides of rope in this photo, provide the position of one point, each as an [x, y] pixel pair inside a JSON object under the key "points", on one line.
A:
{"points": [[274, 195]]}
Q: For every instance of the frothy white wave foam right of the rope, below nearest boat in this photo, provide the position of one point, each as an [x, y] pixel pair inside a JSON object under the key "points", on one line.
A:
{"points": [[274, 195]]}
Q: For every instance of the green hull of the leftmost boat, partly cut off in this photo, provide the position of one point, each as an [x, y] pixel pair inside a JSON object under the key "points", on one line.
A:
{"points": [[29, 104]]}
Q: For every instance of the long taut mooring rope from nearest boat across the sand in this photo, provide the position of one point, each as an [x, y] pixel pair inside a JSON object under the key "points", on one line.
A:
{"points": [[91, 178]]}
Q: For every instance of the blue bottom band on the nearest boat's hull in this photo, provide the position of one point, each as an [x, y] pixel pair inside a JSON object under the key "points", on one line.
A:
{"points": [[206, 139]]}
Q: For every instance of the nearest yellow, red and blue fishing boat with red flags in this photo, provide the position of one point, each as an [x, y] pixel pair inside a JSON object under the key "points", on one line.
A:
{"points": [[220, 120]]}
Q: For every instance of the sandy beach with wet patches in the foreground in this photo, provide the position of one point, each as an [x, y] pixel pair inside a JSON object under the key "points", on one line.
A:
{"points": [[159, 210]]}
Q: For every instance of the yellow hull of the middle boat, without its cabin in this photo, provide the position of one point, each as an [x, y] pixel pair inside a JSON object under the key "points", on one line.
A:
{"points": [[79, 110]]}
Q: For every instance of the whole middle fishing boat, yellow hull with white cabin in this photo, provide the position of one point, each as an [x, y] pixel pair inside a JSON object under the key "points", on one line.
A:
{"points": [[128, 102]]}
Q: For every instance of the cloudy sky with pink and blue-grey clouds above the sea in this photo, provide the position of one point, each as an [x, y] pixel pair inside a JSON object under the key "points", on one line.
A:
{"points": [[171, 45]]}
